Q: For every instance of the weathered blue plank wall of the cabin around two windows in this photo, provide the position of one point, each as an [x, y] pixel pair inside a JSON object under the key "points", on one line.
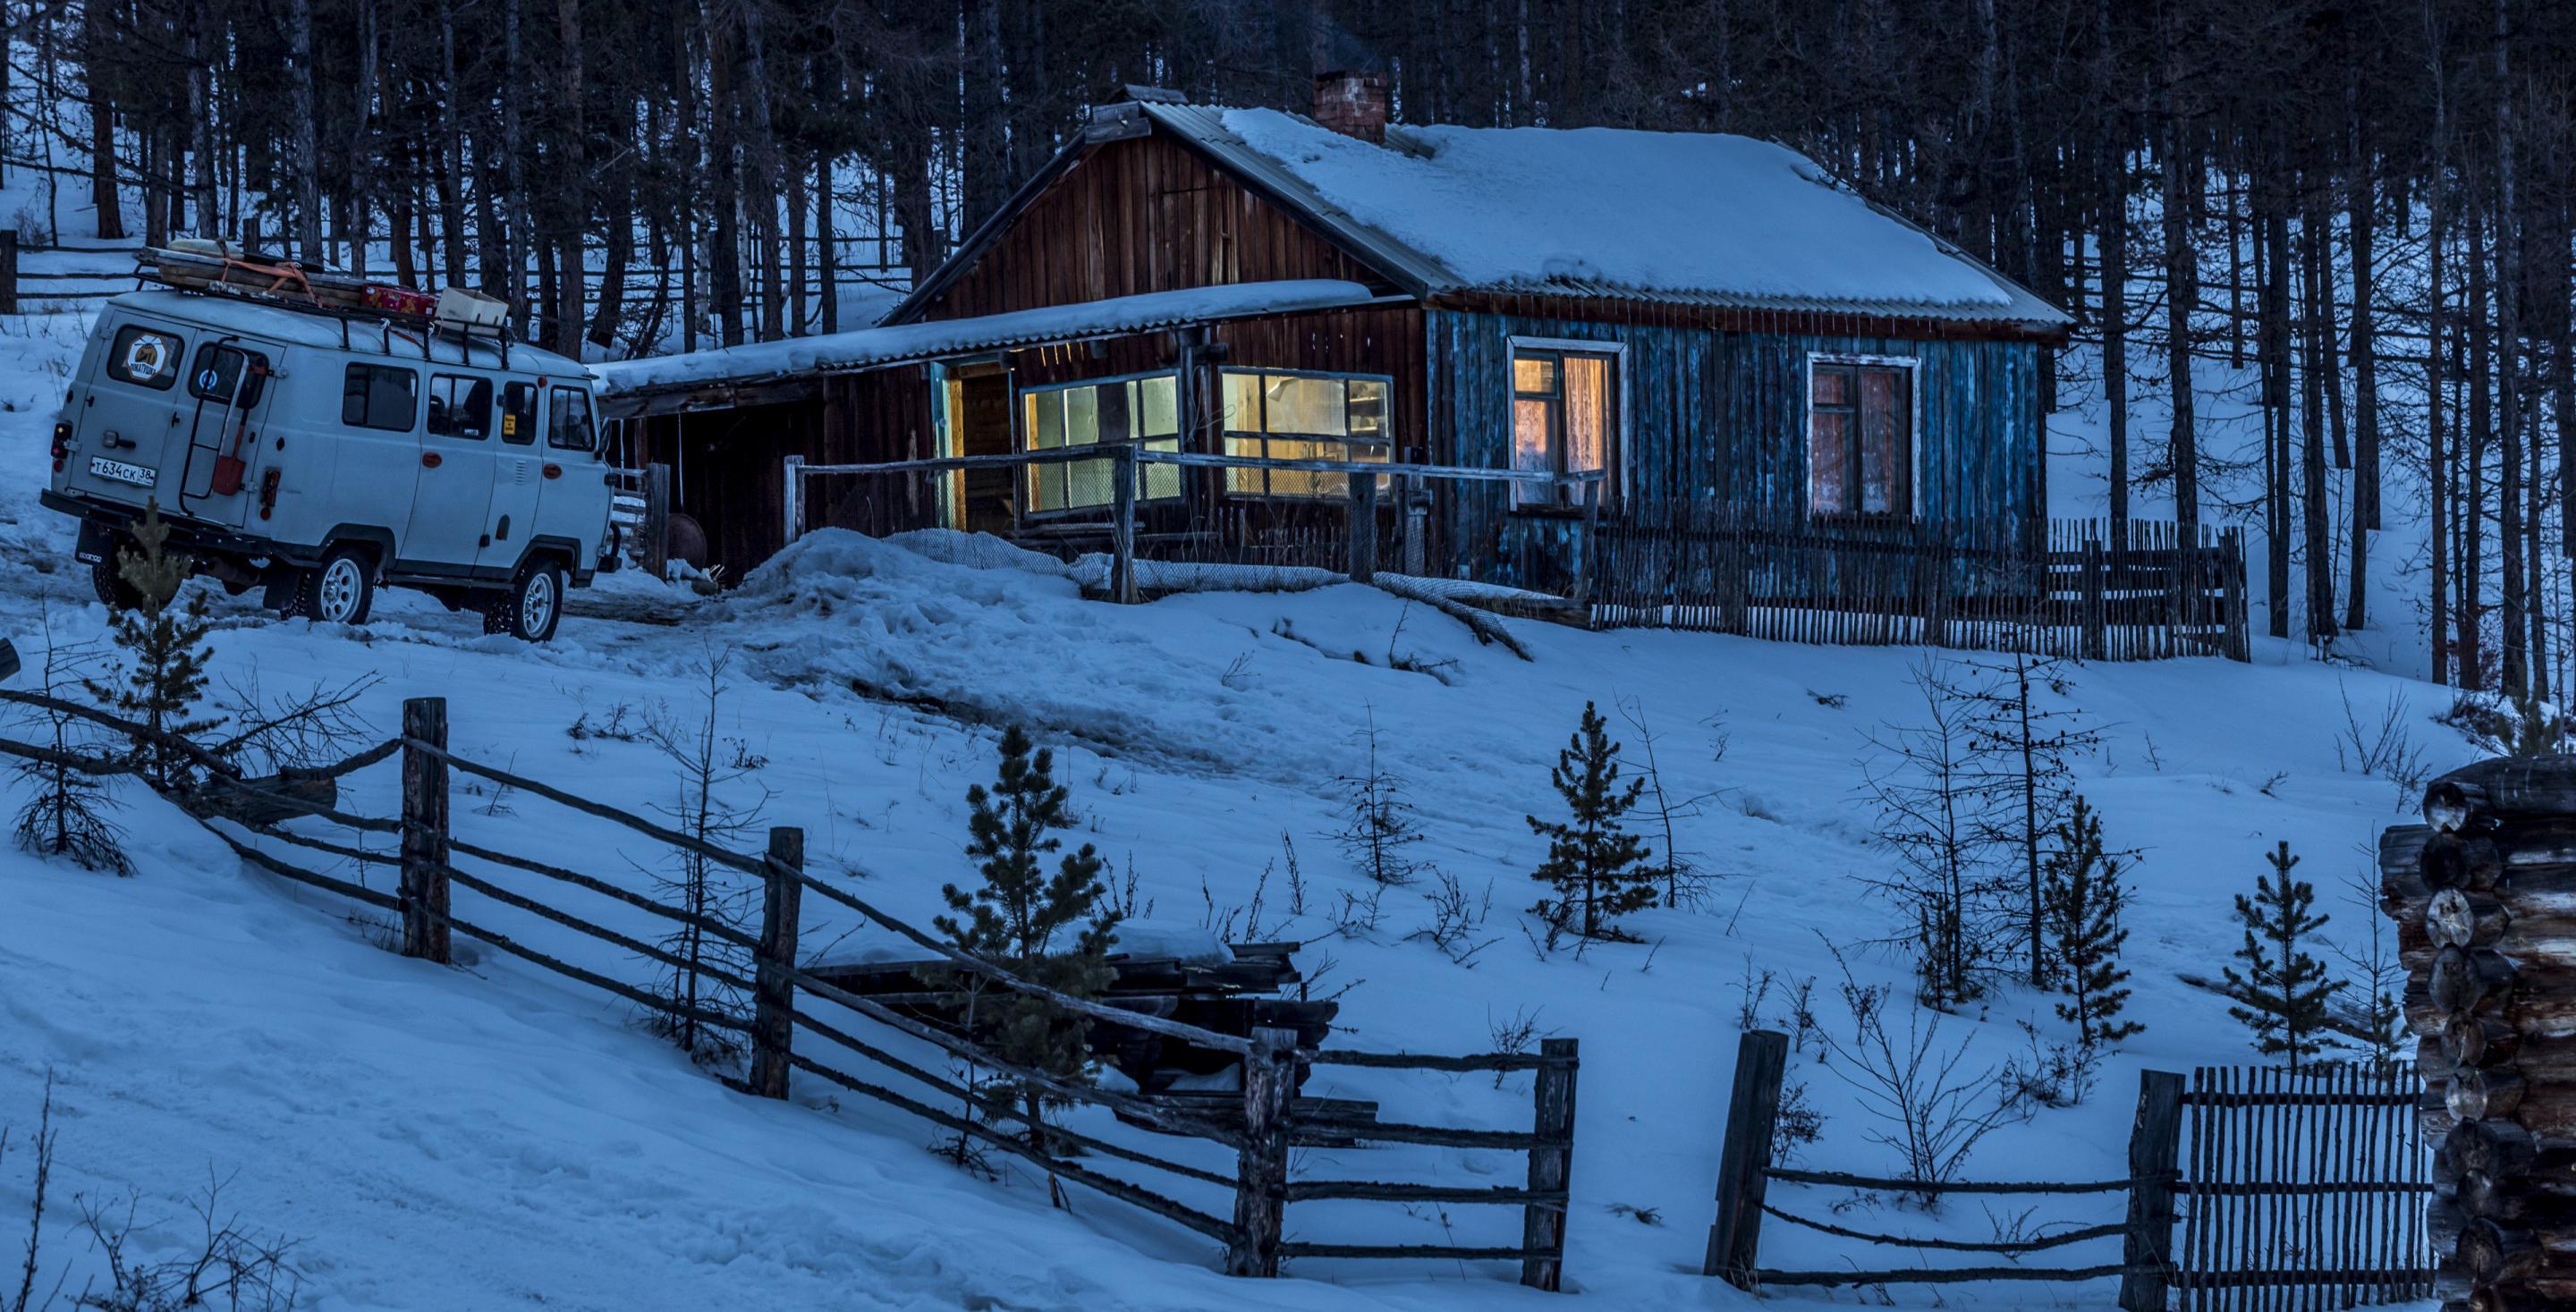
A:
{"points": [[1722, 416]]}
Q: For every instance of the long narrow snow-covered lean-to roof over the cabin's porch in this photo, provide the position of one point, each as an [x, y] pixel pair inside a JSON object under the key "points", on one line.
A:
{"points": [[929, 342]]}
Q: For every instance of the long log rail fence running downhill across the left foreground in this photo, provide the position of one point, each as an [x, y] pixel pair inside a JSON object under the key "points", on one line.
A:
{"points": [[426, 857]]}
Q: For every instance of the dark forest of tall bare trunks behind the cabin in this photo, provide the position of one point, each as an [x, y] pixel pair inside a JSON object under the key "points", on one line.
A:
{"points": [[2366, 207]]}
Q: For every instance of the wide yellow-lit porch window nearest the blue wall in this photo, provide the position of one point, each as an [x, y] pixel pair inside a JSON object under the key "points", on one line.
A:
{"points": [[1276, 414]]}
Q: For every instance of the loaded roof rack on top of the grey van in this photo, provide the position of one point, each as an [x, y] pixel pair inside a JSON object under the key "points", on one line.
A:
{"points": [[220, 269]]}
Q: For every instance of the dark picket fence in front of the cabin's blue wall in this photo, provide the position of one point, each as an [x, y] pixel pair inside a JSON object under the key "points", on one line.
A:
{"points": [[2072, 589]]}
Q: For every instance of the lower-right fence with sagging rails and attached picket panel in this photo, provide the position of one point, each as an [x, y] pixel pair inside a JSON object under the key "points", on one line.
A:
{"points": [[2286, 1190]]}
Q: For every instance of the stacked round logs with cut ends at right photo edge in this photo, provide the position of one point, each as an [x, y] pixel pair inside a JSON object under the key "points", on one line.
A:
{"points": [[2485, 898]]}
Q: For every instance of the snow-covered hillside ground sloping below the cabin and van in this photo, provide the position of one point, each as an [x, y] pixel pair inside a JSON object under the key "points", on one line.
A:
{"points": [[496, 1135]]}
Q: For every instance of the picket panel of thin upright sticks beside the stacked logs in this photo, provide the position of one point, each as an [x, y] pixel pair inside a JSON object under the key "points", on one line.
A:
{"points": [[2302, 1190]]}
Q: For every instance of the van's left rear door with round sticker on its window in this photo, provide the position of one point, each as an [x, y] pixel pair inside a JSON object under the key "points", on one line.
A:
{"points": [[130, 439]]}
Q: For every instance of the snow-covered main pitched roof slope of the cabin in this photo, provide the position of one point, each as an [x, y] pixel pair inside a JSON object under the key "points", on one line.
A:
{"points": [[1604, 213]]}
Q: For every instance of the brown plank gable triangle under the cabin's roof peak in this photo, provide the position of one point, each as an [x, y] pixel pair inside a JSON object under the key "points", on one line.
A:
{"points": [[1132, 218]]}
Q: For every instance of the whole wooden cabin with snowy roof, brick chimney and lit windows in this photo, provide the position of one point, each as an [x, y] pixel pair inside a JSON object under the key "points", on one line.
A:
{"points": [[1701, 318]]}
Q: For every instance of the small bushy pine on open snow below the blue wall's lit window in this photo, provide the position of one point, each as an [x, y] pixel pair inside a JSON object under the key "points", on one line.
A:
{"points": [[1596, 865]]}
